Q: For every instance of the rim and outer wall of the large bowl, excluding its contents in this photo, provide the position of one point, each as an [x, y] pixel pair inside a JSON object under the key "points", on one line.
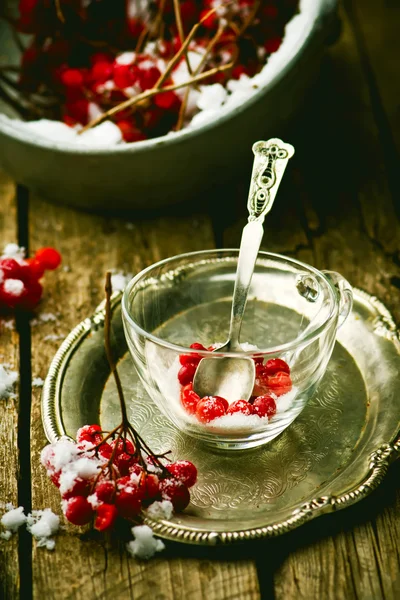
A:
{"points": [[171, 168]]}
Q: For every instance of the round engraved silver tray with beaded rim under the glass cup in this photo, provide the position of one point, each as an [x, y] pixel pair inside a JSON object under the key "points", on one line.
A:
{"points": [[335, 453]]}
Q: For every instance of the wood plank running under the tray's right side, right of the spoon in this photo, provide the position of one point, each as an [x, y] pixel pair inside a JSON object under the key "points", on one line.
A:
{"points": [[337, 212]]}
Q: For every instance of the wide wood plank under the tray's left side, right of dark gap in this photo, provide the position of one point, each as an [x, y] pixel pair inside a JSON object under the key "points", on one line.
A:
{"points": [[93, 569]]}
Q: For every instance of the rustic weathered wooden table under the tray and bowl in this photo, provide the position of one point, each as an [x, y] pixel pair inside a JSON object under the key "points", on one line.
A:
{"points": [[337, 210]]}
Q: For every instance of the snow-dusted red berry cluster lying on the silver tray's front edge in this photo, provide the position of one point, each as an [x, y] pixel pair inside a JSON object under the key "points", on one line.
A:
{"points": [[102, 478]]}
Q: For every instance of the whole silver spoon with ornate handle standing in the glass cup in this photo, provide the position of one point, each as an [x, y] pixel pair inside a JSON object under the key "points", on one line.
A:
{"points": [[233, 378]]}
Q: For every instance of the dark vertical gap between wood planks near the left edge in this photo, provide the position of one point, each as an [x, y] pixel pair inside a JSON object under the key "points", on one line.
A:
{"points": [[24, 413]]}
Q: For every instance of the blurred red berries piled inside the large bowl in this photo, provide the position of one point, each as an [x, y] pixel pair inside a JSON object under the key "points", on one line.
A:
{"points": [[63, 56]]}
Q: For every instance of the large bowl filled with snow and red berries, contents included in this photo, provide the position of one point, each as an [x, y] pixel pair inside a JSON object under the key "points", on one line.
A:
{"points": [[119, 158]]}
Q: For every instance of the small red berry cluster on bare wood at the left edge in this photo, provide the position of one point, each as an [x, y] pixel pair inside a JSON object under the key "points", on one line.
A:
{"points": [[20, 286]]}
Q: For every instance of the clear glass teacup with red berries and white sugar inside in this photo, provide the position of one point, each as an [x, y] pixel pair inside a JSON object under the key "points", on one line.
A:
{"points": [[292, 314]]}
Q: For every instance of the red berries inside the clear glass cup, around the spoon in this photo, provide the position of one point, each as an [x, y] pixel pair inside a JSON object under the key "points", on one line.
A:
{"points": [[272, 380]]}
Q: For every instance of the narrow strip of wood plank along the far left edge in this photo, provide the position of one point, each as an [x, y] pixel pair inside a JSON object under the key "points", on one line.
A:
{"points": [[9, 353]]}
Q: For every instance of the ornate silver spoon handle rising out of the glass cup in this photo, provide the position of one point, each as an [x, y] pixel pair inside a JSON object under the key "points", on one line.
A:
{"points": [[270, 160]]}
